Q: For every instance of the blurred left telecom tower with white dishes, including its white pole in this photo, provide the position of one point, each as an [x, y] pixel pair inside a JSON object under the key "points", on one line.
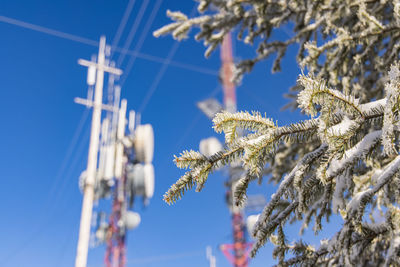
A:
{"points": [[119, 165]]}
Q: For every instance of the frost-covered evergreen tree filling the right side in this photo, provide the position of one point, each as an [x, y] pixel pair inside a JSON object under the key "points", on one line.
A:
{"points": [[345, 158]]}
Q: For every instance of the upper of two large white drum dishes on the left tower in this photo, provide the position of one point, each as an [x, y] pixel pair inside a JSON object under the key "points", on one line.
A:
{"points": [[144, 143]]}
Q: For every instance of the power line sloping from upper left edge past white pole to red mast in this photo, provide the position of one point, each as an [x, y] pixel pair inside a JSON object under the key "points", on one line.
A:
{"points": [[86, 41]]}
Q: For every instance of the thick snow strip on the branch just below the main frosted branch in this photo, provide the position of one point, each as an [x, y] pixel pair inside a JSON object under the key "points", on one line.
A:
{"points": [[353, 153]]}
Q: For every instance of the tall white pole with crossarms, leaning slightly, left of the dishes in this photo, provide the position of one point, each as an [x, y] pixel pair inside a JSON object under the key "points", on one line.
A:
{"points": [[88, 193]]}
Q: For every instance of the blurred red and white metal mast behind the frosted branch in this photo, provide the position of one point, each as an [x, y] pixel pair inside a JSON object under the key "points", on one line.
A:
{"points": [[236, 253]]}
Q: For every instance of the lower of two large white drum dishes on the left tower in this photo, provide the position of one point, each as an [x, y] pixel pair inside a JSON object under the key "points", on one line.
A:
{"points": [[141, 180]]}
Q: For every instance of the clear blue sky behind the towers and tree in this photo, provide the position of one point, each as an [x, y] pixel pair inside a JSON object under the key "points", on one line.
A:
{"points": [[40, 76]]}
